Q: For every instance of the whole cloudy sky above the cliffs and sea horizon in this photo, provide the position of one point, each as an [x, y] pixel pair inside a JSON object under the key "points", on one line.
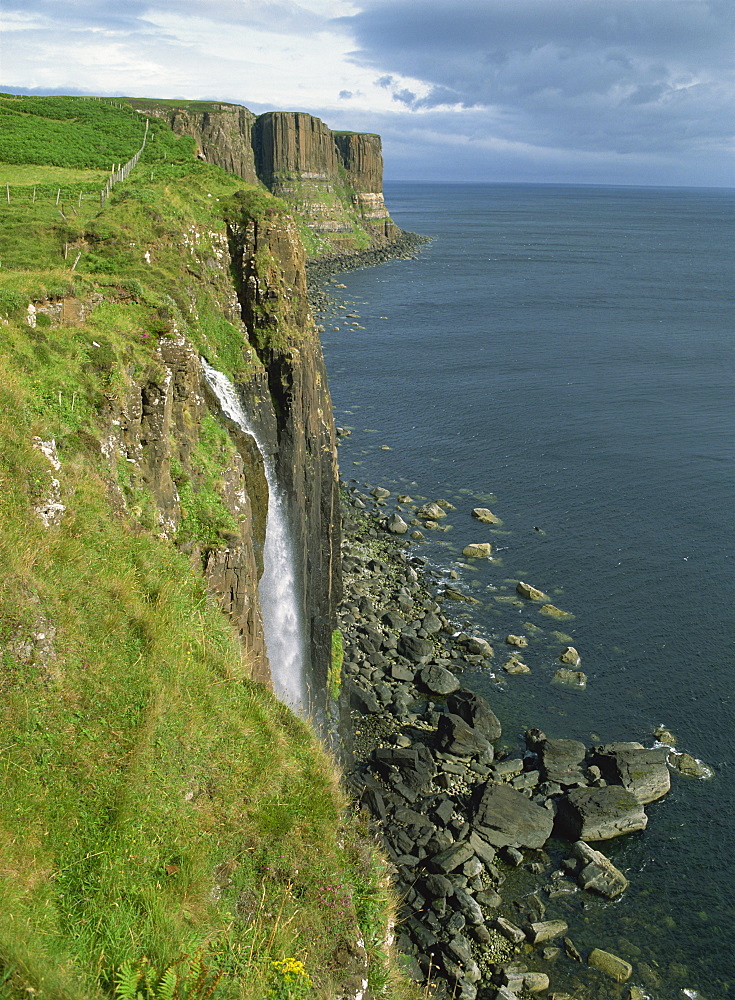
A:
{"points": [[542, 91]]}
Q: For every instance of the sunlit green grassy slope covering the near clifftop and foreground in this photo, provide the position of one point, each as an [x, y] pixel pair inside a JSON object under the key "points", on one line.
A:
{"points": [[154, 802]]}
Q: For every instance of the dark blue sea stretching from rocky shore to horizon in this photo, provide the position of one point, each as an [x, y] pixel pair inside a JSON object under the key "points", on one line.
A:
{"points": [[564, 356]]}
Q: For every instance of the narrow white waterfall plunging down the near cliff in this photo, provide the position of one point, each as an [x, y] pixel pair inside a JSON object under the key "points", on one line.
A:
{"points": [[278, 591]]}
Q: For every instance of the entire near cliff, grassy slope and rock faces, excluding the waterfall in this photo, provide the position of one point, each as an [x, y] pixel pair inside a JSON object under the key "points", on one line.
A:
{"points": [[161, 811]]}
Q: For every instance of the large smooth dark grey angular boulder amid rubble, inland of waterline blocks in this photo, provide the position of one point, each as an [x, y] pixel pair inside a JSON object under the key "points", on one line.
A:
{"points": [[504, 816]]}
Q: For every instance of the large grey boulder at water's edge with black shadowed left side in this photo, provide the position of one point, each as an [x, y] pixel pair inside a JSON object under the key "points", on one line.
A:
{"points": [[599, 813]]}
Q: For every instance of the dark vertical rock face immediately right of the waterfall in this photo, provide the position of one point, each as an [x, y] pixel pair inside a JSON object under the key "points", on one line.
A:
{"points": [[269, 266]]}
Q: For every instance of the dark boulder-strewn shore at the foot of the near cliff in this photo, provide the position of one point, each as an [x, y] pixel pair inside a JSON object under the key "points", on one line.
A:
{"points": [[488, 849]]}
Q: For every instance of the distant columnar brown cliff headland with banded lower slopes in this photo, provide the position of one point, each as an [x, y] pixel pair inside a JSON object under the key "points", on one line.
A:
{"points": [[333, 181]]}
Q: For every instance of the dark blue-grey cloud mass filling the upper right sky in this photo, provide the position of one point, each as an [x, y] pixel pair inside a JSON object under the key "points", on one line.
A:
{"points": [[624, 76]]}
